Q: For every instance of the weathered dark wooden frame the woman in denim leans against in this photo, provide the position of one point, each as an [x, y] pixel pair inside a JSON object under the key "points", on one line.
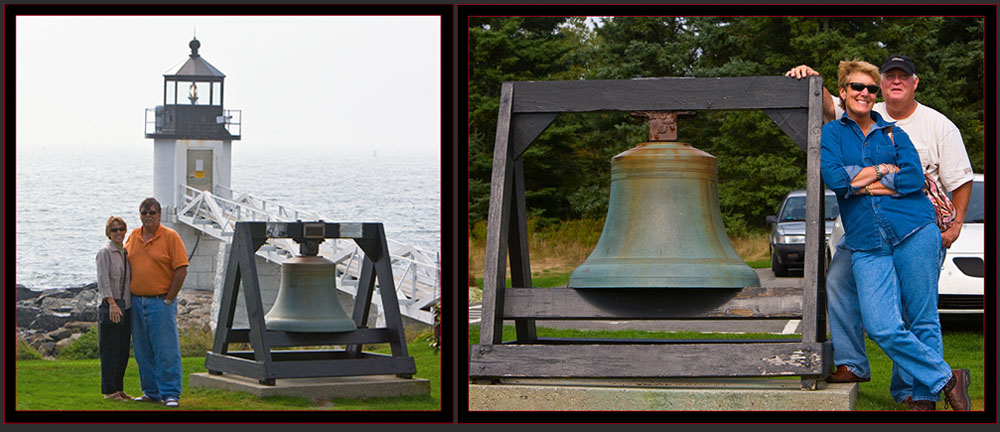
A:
{"points": [[526, 109]]}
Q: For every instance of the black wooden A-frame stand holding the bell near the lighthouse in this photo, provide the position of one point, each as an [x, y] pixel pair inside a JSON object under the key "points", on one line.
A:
{"points": [[266, 365]]}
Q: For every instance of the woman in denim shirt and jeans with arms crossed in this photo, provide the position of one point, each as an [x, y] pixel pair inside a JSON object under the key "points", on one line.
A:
{"points": [[890, 228]]}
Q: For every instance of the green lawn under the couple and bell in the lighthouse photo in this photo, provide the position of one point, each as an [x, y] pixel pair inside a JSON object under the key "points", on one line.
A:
{"points": [[76, 385]]}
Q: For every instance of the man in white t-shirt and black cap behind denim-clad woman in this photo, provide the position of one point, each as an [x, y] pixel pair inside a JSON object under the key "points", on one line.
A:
{"points": [[943, 156]]}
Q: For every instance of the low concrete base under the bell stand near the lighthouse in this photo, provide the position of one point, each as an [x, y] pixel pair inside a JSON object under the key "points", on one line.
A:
{"points": [[362, 387]]}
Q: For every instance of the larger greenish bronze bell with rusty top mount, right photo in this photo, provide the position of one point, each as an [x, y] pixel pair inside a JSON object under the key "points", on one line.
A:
{"points": [[664, 228]]}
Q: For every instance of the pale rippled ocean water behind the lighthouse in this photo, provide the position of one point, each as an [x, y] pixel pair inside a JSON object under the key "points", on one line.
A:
{"points": [[62, 201]]}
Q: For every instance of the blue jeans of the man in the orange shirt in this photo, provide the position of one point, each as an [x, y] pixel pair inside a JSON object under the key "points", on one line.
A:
{"points": [[156, 348]]}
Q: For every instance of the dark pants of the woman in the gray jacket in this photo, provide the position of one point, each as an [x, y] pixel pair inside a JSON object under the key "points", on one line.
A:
{"points": [[113, 342]]}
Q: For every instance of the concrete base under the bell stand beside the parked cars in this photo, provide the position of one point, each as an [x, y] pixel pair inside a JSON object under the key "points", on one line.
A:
{"points": [[704, 394]]}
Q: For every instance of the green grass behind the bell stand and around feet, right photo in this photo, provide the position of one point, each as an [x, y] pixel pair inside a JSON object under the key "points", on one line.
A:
{"points": [[963, 349]]}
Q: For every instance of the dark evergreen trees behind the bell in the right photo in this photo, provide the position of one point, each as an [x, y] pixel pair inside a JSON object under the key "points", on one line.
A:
{"points": [[568, 165]]}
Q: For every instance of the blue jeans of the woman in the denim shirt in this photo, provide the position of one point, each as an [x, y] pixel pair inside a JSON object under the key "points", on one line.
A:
{"points": [[897, 282]]}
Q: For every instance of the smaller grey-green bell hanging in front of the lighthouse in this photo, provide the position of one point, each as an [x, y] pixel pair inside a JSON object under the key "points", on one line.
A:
{"points": [[307, 298]]}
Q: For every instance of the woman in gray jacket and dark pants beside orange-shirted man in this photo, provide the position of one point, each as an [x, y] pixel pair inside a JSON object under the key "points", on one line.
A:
{"points": [[114, 323]]}
